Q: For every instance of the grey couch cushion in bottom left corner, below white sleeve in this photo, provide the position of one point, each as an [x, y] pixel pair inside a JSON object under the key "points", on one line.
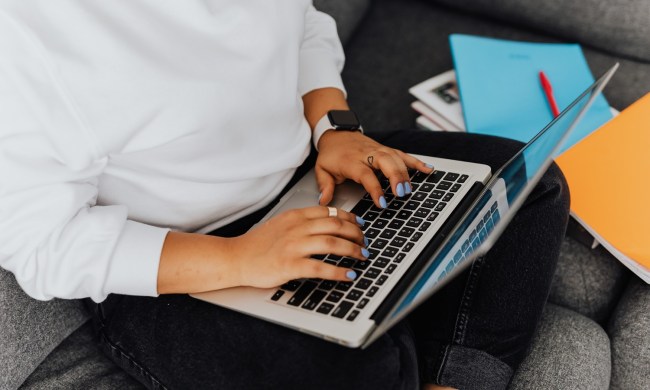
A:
{"points": [[30, 329]]}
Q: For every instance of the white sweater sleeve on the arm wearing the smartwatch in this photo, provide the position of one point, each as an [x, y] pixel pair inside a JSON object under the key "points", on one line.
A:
{"points": [[321, 54]]}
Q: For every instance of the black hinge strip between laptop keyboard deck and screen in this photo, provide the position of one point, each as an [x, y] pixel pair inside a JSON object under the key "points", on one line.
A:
{"points": [[396, 293]]}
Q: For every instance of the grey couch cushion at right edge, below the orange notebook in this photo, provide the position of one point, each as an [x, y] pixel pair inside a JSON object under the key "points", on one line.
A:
{"points": [[630, 333]]}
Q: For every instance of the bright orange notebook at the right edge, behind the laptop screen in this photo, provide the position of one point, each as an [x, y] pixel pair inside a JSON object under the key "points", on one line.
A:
{"points": [[609, 177]]}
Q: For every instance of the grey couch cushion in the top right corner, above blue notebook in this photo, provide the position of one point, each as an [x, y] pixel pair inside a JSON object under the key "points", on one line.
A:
{"points": [[619, 27]]}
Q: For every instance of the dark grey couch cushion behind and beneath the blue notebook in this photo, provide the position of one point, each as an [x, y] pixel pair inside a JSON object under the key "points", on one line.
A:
{"points": [[403, 42]]}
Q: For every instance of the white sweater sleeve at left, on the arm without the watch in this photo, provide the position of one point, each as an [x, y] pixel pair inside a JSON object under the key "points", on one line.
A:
{"points": [[53, 237]]}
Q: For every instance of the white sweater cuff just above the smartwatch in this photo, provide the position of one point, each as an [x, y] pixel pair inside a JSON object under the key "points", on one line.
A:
{"points": [[318, 70]]}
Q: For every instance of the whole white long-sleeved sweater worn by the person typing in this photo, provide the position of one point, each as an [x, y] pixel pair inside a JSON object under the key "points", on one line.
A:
{"points": [[120, 120]]}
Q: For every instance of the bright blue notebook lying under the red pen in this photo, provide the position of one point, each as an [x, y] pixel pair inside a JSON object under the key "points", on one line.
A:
{"points": [[500, 89]]}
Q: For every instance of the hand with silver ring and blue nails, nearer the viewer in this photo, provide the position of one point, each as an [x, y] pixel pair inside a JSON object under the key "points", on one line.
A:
{"points": [[279, 250]]}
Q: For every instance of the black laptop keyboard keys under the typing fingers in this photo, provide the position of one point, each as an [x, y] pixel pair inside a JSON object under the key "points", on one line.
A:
{"points": [[392, 233]]}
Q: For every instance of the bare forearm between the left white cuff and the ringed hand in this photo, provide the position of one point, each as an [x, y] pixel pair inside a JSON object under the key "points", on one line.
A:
{"points": [[192, 263]]}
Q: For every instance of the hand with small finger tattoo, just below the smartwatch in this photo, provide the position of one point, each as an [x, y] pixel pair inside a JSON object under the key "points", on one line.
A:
{"points": [[352, 155]]}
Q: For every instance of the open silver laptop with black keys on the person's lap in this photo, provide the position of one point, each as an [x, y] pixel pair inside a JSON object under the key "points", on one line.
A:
{"points": [[417, 244]]}
